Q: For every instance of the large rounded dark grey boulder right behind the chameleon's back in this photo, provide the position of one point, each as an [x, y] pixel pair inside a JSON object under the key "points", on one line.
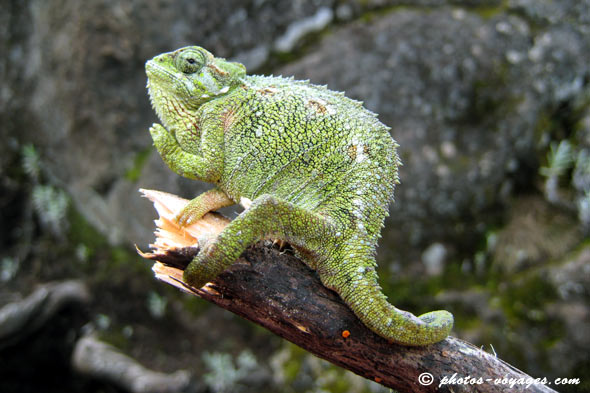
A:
{"points": [[463, 95]]}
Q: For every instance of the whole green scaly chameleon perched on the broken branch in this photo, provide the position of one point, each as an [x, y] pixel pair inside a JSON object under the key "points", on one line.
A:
{"points": [[311, 167]]}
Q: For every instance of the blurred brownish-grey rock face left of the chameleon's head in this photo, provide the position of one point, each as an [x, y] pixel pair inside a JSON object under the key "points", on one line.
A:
{"points": [[76, 89]]}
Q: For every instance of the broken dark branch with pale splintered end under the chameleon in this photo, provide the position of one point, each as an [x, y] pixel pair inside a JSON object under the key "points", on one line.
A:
{"points": [[277, 291]]}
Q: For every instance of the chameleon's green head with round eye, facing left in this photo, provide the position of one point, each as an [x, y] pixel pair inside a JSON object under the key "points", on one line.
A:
{"points": [[180, 82]]}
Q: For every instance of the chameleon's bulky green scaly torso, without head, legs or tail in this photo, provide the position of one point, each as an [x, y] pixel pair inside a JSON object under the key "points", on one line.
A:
{"points": [[318, 150]]}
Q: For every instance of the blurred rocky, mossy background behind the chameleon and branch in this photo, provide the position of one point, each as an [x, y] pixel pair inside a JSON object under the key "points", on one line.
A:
{"points": [[489, 100]]}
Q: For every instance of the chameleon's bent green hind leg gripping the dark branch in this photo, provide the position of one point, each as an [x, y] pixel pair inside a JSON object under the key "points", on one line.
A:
{"points": [[267, 216]]}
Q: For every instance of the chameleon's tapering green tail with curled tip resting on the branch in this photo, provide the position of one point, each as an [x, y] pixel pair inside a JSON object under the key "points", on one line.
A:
{"points": [[356, 283]]}
